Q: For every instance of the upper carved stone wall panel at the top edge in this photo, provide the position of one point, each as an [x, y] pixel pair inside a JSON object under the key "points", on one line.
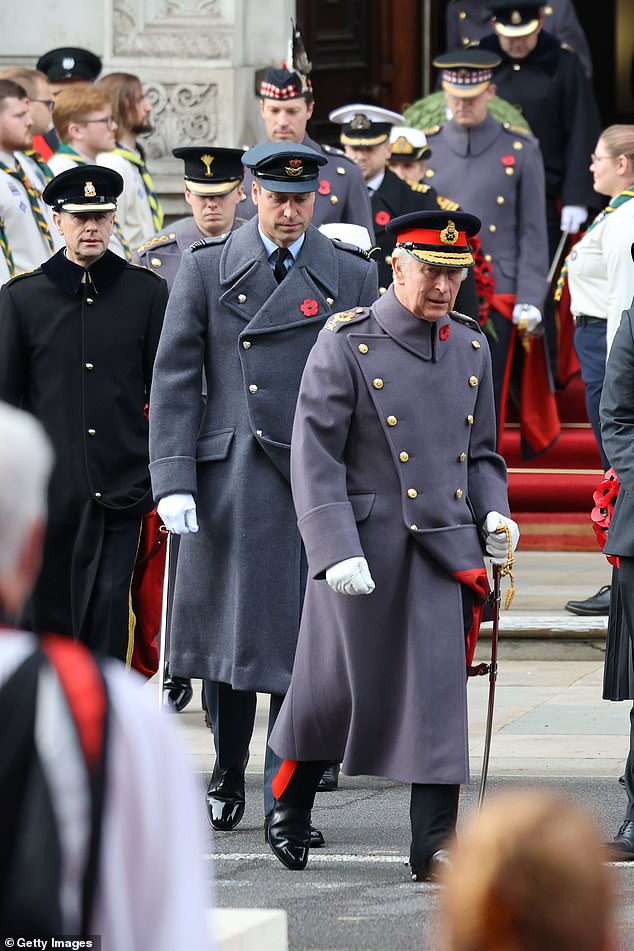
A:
{"points": [[187, 29]]}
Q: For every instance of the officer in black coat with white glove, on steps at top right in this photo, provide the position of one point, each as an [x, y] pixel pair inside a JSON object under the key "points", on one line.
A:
{"points": [[544, 79]]}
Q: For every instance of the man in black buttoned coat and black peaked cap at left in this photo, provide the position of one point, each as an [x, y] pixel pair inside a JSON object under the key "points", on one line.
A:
{"points": [[78, 338]]}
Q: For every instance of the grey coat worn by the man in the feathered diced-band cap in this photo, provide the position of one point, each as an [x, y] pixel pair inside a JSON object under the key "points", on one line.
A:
{"points": [[342, 194]]}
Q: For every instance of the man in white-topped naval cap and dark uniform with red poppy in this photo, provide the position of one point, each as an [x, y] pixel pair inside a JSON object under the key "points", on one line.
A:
{"points": [[365, 135]]}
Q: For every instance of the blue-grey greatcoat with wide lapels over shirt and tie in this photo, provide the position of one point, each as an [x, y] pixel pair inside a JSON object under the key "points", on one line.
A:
{"points": [[238, 592]]}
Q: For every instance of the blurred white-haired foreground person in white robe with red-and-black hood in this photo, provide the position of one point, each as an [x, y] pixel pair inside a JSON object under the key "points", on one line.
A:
{"points": [[82, 845]]}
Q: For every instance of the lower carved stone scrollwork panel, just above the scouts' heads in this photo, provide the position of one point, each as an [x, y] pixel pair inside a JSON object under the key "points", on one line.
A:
{"points": [[182, 114]]}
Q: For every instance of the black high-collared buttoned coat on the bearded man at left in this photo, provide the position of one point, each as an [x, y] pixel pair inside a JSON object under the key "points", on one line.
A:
{"points": [[79, 356]]}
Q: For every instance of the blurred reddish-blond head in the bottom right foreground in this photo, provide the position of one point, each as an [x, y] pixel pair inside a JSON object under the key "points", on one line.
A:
{"points": [[529, 874]]}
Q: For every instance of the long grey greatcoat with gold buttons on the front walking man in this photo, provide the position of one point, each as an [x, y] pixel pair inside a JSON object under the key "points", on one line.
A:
{"points": [[392, 459]]}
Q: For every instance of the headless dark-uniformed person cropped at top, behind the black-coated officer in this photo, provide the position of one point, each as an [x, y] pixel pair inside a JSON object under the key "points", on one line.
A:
{"points": [[470, 20]]}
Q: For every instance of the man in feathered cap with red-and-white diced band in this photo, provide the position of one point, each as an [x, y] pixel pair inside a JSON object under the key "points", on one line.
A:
{"points": [[287, 103]]}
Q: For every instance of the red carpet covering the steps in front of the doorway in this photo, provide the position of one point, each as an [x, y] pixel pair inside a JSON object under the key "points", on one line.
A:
{"points": [[551, 496]]}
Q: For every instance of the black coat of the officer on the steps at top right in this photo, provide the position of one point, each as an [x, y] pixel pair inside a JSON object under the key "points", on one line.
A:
{"points": [[554, 94]]}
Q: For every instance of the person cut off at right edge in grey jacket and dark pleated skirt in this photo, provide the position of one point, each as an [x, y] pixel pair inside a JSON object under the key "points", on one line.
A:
{"points": [[617, 433]]}
